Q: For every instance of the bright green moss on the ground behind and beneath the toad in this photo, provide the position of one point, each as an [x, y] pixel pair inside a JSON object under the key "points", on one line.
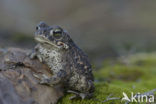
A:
{"points": [[139, 75]]}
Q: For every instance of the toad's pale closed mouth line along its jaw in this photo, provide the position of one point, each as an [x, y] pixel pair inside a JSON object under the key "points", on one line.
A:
{"points": [[43, 40]]}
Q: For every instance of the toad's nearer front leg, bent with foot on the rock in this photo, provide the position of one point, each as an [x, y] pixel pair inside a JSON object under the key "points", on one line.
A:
{"points": [[55, 79]]}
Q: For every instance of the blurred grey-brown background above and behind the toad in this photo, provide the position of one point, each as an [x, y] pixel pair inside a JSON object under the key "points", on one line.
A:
{"points": [[104, 29]]}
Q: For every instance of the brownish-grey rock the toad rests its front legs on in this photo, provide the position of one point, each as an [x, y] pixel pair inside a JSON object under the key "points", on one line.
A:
{"points": [[19, 80]]}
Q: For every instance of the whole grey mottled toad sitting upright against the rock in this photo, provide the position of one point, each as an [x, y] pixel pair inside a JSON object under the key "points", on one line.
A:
{"points": [[69, 64]]}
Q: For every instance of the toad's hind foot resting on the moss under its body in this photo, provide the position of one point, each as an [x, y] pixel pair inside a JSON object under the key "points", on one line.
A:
{"points": [[79, 95]]}
